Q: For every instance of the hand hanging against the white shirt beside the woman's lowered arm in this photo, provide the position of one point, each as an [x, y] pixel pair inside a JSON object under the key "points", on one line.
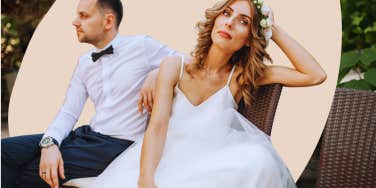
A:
{"points": [[147, 93]]}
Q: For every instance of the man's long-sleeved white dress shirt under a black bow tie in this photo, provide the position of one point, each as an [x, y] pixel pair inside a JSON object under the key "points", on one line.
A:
{"points": [[113, 83]]}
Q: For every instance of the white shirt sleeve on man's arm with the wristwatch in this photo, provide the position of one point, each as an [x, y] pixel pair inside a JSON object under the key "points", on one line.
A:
{"points": [[69, 113]]}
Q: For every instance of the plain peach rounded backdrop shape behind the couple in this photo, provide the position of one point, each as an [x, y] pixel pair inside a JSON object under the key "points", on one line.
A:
{"points": [[53, 51]]}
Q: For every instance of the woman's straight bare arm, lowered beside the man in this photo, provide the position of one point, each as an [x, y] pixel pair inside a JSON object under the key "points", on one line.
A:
{"points": [[155, 135]]}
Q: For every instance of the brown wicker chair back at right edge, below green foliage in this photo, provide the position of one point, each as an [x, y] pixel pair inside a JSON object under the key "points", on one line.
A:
{"points": [[348, 152]]}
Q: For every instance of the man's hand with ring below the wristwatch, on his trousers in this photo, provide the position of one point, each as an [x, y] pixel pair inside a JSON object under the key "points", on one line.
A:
{"points": [[51, 163]]}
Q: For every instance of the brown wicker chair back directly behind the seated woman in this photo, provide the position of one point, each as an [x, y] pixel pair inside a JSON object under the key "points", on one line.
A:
{"points": [[262, 111]]}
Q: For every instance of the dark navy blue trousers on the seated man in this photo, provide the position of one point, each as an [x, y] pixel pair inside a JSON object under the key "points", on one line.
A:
{"points": [[85, 154]]}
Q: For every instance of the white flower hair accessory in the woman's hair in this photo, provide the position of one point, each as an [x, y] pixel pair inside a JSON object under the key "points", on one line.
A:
{"points": [[266, 22]]}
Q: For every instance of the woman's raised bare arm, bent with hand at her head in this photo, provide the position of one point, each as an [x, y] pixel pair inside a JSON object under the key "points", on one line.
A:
{"points": [[306, 72]]}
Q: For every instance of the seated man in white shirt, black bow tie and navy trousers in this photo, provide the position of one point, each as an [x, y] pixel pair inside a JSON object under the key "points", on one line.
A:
{"points": [[112, 75]]}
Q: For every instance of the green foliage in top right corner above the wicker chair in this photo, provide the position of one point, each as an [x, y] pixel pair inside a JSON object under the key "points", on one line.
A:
{"points": [[358, 43]]}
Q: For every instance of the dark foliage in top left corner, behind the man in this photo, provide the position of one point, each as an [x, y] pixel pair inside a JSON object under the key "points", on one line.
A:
{"points": [[18, 22]]}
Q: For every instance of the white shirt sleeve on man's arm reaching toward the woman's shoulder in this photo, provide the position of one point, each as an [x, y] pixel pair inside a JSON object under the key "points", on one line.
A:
{"points": [[155, 52]]}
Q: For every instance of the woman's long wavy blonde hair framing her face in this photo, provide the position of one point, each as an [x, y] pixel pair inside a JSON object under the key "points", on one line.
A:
{"points": [[250, 58]]}
